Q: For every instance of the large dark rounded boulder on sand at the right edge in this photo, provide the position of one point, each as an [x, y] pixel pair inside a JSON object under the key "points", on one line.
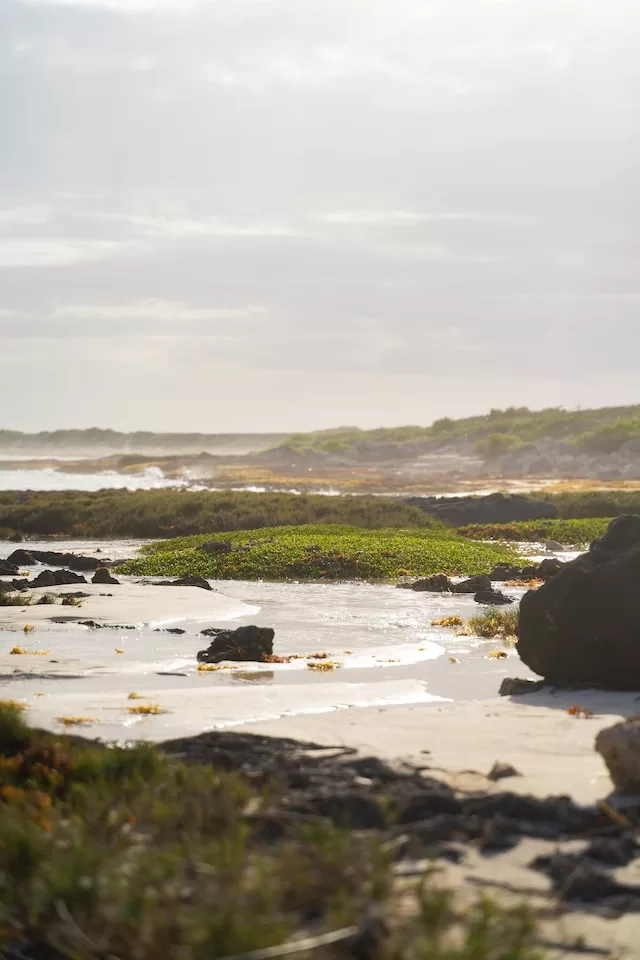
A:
{"points": [[583, 625]]}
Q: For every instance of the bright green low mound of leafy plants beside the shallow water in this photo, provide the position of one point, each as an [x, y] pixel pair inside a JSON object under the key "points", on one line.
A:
{"points": [[320, 553]]}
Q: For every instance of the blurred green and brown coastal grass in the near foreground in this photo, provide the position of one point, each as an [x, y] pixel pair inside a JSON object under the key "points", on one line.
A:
{"points": [[113, 852]]}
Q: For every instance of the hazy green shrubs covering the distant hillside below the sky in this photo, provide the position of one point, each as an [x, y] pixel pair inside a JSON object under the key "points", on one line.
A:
{"points": [[602, 430]]}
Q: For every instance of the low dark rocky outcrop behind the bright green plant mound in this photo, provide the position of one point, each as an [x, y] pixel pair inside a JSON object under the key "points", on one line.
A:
{"points": [[495, 508]]}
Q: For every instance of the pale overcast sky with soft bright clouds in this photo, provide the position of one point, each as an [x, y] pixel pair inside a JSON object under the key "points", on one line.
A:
{"points": [[274, 215]]}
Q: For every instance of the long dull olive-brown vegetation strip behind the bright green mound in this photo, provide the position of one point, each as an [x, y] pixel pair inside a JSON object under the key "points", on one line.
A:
{"points": [[167, 513]]}
